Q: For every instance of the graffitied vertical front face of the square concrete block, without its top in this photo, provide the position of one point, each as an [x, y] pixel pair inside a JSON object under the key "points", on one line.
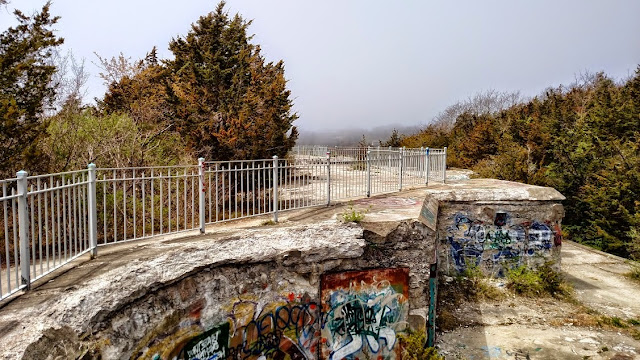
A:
{"points": [[498, 236]]}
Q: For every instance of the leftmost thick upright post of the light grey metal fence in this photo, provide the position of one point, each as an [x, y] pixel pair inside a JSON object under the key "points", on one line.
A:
{"points": [[23, 229]]}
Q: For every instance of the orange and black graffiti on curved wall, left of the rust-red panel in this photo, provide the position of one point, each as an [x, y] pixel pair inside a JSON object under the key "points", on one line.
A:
{"points": [[284, 327]]}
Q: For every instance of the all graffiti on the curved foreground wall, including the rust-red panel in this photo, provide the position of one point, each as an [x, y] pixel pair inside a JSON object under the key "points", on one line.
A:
{"points": [[359, 316]]}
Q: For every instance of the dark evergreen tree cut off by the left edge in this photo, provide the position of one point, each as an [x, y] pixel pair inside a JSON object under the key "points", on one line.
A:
{"points": [[25, 89]]}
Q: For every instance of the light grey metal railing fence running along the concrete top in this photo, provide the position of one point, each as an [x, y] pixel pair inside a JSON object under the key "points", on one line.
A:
{"points": [[49, 220]]}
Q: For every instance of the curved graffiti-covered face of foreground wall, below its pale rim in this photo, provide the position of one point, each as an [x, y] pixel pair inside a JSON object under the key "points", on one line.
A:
{"points": [[300, 305]]}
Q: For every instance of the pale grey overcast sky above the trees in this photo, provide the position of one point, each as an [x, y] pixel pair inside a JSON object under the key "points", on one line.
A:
{"points": [[354, 64]]}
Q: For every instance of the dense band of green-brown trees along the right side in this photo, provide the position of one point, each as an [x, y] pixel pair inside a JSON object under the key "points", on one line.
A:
{"points": [[583, 140]]}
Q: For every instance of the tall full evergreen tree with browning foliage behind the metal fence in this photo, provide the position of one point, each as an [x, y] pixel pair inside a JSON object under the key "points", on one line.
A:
{"points": [[229, 103]]}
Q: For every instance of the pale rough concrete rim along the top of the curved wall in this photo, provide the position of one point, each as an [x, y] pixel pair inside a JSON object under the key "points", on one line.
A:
{"points": [[85, 296]]}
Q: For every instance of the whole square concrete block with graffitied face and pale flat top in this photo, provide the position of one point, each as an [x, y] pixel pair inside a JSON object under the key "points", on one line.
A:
{"points": [[494, 226]]}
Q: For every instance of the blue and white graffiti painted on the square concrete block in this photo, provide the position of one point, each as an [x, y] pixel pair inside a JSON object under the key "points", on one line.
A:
{"points": [[498, 245]]}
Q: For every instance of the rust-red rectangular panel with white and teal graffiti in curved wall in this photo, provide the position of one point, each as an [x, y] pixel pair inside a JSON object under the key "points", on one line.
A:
{"points": [[364, 311]]}
